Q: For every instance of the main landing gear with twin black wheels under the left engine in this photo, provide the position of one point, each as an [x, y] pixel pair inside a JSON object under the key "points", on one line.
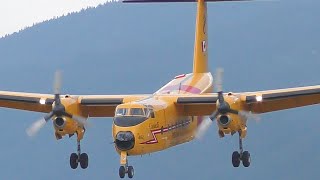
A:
{"points": [[76, 158]]}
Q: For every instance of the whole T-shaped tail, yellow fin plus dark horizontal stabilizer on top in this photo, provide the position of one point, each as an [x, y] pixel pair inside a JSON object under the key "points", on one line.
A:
{"points": [[200, 58]]}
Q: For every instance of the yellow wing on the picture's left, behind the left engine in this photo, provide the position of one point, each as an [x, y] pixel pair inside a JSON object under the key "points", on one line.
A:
{"points": [[91, 105]]}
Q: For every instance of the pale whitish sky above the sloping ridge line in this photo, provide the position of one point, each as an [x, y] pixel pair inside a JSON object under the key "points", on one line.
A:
{"points": [[18, 14]]}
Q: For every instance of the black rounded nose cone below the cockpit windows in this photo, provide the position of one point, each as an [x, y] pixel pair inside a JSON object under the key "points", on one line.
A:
{"points": [[124, 140]]}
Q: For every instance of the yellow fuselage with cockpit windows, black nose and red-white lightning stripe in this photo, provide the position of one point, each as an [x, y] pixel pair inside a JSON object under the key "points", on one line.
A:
{"points": [[167, 126]]}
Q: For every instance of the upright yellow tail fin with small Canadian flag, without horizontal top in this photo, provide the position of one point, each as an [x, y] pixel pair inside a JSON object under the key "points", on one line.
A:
{"points": [[200, 59]]}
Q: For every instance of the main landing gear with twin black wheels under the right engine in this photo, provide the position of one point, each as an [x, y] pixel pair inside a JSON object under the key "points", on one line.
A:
{"points": [[243, 156]]}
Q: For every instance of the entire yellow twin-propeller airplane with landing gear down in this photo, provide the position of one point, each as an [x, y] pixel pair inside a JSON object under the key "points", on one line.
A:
{"points": [[171, 116]]}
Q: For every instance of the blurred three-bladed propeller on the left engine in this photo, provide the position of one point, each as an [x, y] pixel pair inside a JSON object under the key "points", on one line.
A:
{"points": [[58, 109]]}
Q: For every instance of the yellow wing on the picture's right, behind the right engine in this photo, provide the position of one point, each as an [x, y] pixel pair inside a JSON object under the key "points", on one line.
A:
{"points": [[256, 102]]}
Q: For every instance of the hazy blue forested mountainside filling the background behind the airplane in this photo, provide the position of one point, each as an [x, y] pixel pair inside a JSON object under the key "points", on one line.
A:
{"points": [[137, 48]]}
